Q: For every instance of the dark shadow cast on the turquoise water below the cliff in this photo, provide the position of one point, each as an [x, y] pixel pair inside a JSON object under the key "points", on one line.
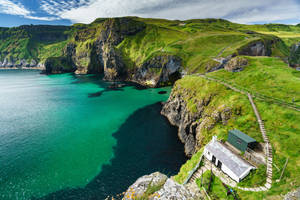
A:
{"points": [[146, 143]]}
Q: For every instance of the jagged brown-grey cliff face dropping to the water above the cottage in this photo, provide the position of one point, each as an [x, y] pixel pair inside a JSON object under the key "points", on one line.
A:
{"points": [[192, 126]]}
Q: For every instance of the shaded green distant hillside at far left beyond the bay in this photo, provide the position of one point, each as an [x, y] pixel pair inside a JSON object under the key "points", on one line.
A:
{"points": [[33, 42]]}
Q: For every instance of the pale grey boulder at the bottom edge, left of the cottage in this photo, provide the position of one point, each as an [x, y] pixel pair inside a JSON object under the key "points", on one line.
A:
{"points": [[162, 188]]}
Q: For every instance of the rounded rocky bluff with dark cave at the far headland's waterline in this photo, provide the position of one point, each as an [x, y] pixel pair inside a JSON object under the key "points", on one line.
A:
{"points": [[159, 71]]}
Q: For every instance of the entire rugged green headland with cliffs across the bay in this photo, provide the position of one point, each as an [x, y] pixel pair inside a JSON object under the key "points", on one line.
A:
{"points": [[152, 52]]}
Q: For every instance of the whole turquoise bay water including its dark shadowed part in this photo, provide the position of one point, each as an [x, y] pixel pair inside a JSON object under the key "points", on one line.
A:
{"points": [[68, 137]]}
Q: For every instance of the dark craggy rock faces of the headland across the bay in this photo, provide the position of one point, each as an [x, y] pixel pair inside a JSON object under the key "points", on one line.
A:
{"points": [[103, 56]]}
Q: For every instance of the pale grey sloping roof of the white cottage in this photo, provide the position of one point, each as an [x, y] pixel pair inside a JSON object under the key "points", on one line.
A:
{"points": [[237, 165]]}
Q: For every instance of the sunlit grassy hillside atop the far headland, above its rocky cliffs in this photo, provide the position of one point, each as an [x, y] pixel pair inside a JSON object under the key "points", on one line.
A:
{"points": [[197, 42]]}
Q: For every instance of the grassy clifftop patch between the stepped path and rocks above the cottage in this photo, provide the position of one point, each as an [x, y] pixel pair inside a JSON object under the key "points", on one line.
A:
{"points": [[243, 118]]}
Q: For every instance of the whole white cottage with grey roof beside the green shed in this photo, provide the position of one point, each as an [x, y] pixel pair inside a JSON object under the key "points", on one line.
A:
{"points": [[226, 160]]}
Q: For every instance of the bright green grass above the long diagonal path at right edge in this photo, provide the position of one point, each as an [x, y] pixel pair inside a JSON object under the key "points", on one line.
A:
{"points": [[267, 76]]}
